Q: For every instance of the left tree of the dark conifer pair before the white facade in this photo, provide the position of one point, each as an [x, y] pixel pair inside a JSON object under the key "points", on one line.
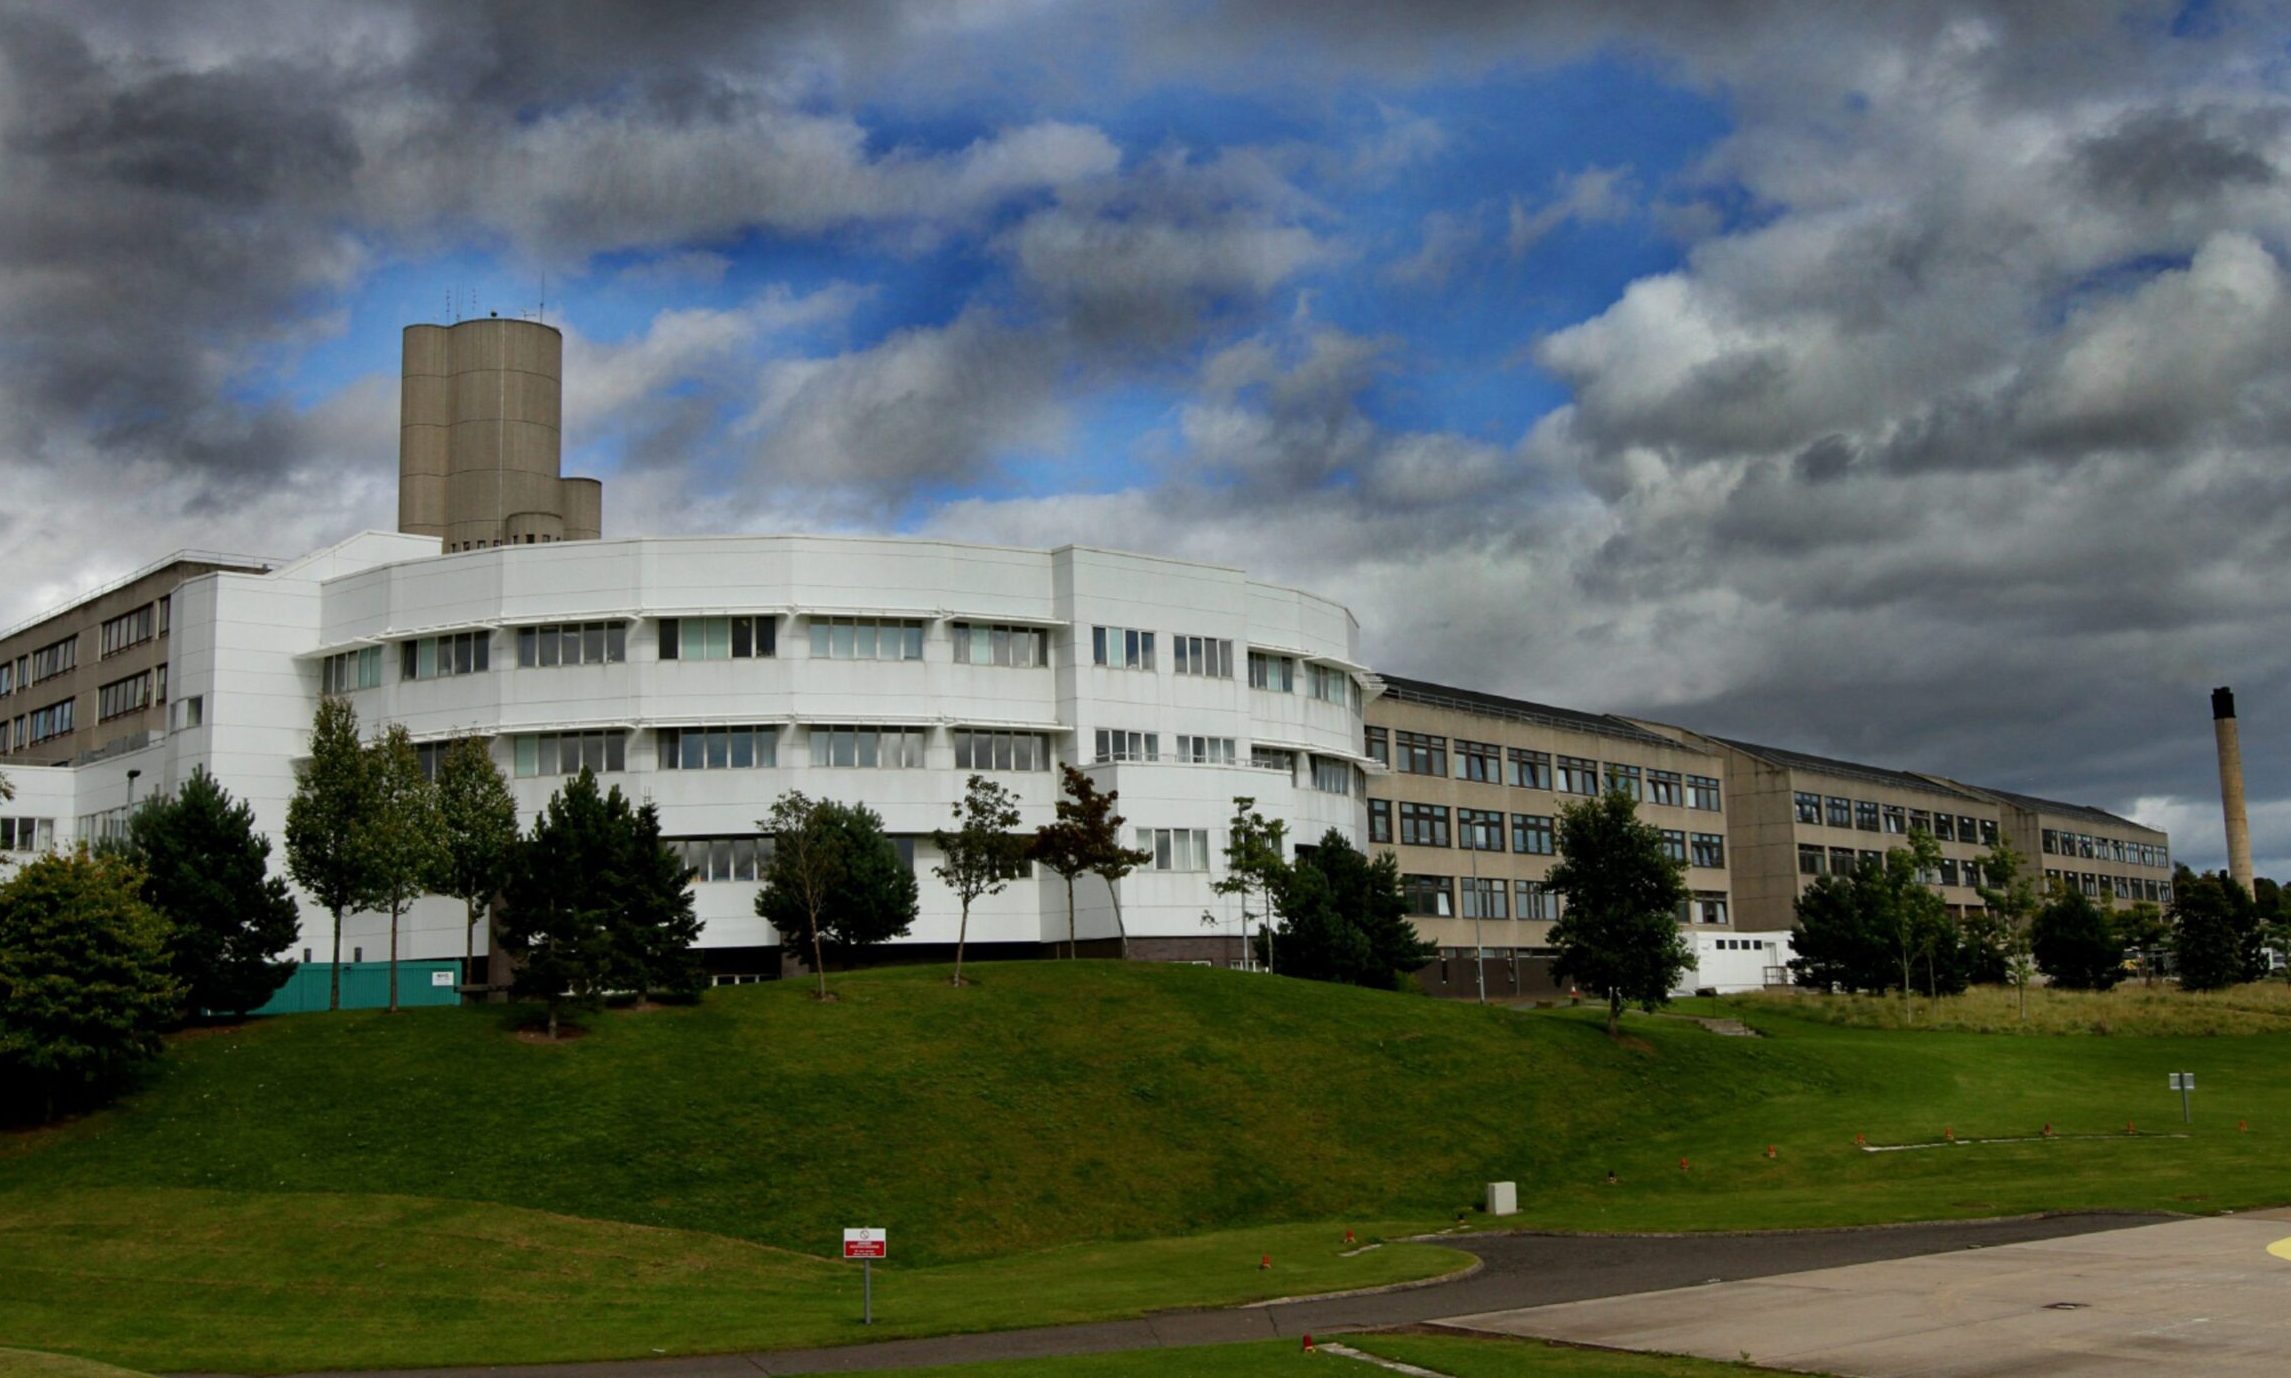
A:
{"points": [[556, 921]]}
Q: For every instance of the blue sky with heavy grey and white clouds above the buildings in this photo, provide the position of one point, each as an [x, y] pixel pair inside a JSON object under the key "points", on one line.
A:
{"points": [[1903, 382]]}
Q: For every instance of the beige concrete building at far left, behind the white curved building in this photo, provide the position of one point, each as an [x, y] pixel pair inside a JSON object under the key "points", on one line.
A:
{"points": [[93, 678]]}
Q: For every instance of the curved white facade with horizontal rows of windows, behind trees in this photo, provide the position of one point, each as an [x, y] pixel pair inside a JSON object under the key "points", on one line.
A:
{"points": [[253, 652]]}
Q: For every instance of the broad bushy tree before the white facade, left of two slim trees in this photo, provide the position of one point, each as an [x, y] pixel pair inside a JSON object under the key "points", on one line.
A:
{"points": [[833, 879]]}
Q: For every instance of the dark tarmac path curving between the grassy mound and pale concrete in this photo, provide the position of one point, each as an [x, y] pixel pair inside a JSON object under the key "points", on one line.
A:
{"points": [[1520, 1271]]}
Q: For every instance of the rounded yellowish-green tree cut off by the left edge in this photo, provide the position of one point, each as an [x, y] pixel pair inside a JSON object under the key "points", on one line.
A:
{"points": [[84, 980]]}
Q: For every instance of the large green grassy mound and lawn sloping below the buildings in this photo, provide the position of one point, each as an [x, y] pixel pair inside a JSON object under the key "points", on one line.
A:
{"points": [[1062, 1141]]}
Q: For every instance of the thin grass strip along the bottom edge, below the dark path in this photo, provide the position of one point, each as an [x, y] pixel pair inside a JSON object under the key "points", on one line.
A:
{"points": [[1442, 1354]]}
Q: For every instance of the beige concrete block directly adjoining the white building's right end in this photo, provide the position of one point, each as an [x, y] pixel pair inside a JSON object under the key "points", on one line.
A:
{"points": [[1470, 797]]}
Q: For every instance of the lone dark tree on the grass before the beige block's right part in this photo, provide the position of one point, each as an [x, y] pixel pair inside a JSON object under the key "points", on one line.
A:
{"points": [[1621, 927]]}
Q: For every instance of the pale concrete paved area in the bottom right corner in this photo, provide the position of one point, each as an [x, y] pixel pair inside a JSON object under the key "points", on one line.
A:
{"points": [[2189, 1297]]}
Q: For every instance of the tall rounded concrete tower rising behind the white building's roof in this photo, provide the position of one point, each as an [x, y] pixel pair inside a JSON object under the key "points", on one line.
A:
{"points": [[480, 439]]}
